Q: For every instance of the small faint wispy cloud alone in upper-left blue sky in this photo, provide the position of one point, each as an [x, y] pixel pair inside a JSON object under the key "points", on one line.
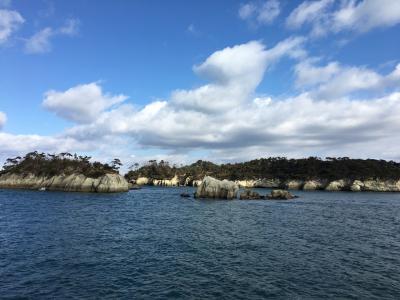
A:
{"points": [[40, 42]]}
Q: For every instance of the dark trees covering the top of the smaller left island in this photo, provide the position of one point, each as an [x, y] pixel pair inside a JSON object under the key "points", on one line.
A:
{"points": [[42, 164]]}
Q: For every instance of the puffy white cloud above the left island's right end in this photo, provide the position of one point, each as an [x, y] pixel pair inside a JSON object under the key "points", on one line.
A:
{"points": [[82, 104]]}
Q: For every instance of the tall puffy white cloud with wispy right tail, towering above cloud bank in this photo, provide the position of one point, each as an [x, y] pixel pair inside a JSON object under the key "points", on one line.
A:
{"points": [[234, 73]]}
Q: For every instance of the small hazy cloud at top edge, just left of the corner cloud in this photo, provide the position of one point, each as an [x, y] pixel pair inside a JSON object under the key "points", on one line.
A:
{"points": [[260, 13]]}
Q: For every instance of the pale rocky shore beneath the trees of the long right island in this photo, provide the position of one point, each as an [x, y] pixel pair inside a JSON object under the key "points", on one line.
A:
{"points": [[370, 185]]}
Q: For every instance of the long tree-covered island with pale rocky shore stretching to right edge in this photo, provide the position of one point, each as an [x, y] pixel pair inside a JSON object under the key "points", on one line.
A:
{"points": [[312, 173]]}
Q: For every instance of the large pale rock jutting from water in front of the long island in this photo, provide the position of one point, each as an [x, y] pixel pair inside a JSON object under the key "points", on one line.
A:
{"points": [[217, 189]]}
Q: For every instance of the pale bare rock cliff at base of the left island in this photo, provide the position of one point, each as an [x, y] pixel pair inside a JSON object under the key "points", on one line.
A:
{"points": [[109, 183]]}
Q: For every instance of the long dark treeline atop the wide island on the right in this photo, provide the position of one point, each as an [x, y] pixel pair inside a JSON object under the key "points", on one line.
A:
{"points": [[275, 167]]}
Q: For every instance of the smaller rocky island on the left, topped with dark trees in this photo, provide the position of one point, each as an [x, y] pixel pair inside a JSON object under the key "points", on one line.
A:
{"points": [[62, 172]]}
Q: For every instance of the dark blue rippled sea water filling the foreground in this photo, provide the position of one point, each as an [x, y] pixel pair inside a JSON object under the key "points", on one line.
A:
{"points": [[153, 244]]}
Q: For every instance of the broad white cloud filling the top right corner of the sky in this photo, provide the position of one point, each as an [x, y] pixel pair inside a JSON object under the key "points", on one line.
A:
{"points": [[359, 16]]}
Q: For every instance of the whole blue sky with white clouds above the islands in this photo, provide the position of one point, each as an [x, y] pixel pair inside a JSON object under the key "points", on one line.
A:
{"points": [[182, 80]]}
